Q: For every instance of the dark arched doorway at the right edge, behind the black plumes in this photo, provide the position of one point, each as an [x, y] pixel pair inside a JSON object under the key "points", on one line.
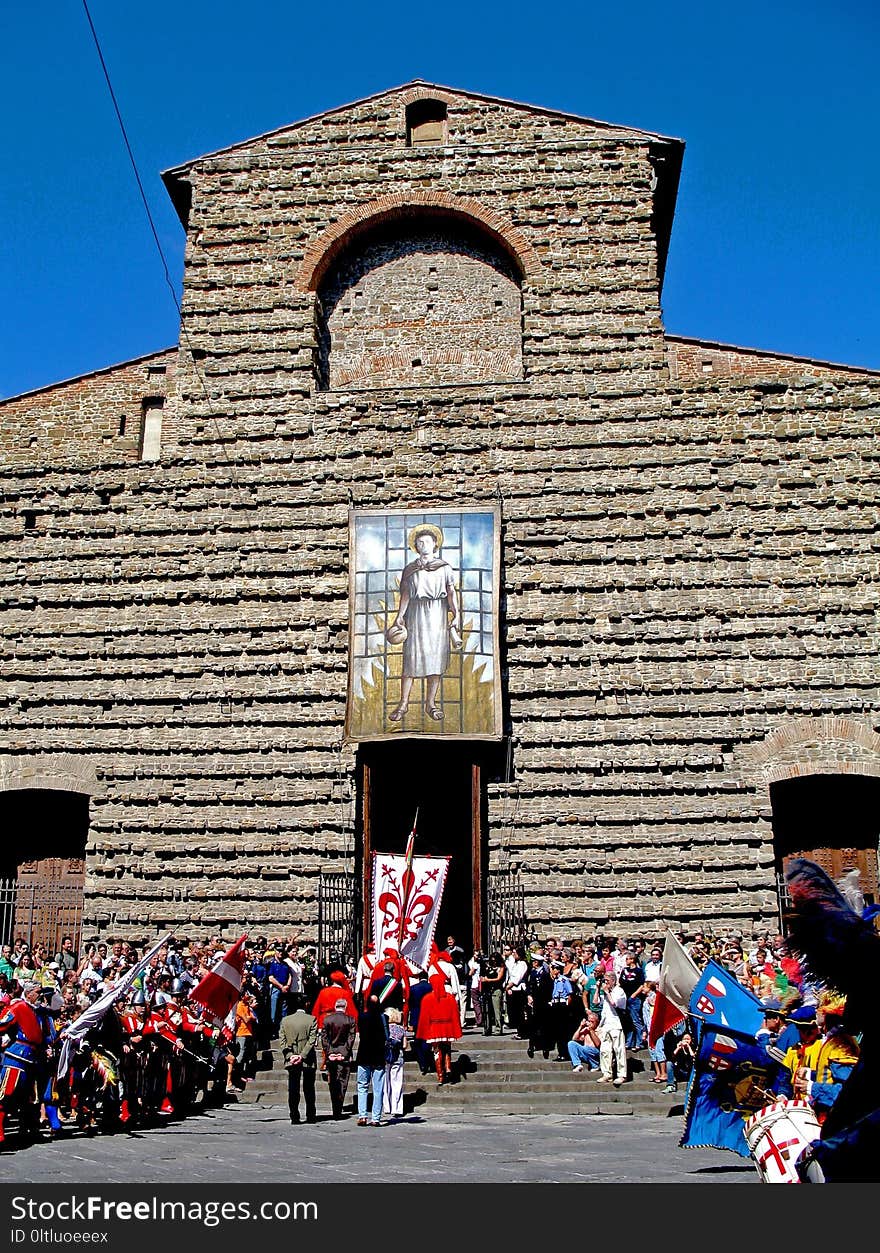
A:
{"points": [[834, 820]]}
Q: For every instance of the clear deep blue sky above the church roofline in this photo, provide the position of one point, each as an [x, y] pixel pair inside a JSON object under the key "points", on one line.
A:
{"points": [[777, 242]]}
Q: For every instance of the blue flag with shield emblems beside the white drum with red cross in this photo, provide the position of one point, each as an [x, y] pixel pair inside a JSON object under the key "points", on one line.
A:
{"points": [[734, 1076]]}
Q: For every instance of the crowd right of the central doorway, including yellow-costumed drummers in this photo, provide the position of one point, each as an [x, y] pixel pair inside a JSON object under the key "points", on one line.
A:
{"points": [[590, 1003]]}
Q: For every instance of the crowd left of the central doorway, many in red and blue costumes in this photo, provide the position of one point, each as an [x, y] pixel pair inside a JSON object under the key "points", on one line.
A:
{"points": [[156, 1056]]}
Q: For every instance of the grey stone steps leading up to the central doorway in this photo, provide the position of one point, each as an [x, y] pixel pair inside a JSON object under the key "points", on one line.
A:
{"points": [[495, 1076]]}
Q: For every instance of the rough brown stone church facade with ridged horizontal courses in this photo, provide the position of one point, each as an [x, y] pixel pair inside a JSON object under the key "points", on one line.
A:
{"points": [[689, 553]]}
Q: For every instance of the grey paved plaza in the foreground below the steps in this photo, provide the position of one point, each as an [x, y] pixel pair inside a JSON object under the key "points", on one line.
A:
{"points": [[250, 1145]]}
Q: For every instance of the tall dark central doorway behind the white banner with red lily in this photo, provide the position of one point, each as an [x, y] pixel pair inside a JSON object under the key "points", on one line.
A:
{"points": [[444, 782]]}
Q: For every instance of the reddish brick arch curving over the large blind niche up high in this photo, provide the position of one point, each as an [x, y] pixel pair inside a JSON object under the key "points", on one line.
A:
{"points": [[323, 252]]}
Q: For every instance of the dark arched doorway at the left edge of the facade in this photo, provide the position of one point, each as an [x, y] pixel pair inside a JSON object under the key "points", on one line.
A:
{"points": [[43, 865]]}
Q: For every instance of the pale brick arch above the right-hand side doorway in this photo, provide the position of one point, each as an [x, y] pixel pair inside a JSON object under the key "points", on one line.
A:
{"points": [[812, 746]]}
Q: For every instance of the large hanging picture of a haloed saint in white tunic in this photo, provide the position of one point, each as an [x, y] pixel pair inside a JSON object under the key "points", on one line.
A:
{"points": [[424, 625]]}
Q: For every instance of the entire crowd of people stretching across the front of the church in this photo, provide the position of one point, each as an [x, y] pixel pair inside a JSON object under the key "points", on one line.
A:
{"points": [[157, 1054]]}
